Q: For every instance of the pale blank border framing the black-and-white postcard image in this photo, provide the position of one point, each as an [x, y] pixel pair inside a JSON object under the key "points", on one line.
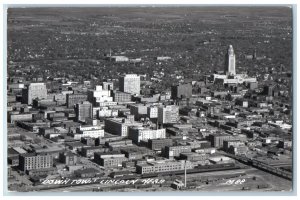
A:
{"points": [[222, 2]]}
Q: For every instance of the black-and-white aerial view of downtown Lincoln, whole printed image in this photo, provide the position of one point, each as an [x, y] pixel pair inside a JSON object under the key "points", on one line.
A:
{"points": [[150, 99]]}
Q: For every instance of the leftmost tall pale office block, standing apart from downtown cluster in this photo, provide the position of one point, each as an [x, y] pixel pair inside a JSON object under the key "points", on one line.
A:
{"points": [[33, 91]]}
